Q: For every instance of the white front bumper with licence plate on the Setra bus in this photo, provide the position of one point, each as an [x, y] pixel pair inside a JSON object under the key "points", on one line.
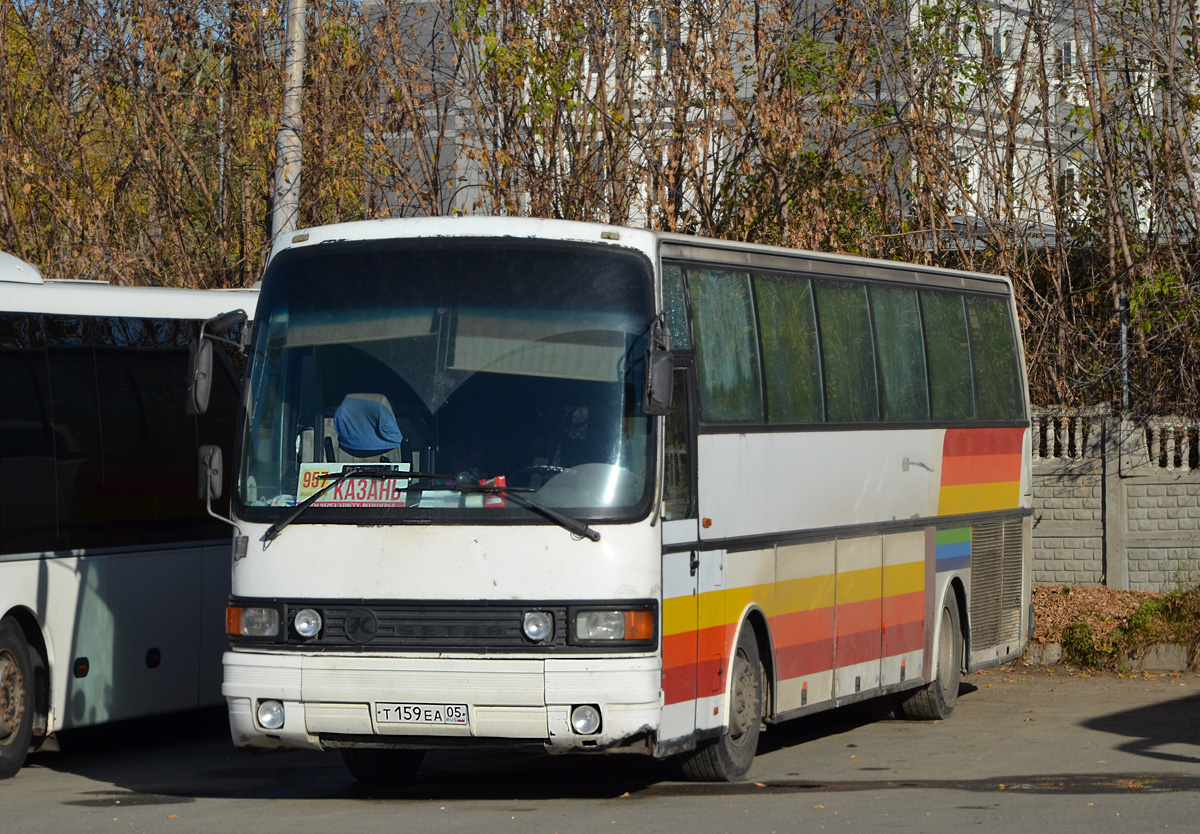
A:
{"points": [[338, 701]]}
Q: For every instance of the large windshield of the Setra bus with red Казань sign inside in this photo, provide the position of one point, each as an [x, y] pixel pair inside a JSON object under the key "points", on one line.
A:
{"points": [[502, 363]]}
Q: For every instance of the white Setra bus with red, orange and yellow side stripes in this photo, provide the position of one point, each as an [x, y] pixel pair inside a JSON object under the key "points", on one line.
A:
{"points": [[473, 519]]}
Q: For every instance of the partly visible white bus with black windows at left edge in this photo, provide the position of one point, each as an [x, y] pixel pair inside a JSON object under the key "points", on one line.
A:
{"points": [[113, 578]]}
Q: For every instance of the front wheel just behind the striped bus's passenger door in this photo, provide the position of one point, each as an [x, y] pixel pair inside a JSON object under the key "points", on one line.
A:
{"points": [[729, 758]]}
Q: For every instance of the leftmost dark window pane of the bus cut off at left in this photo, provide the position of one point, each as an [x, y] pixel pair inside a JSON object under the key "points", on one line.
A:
{"points": [[28, 508]]}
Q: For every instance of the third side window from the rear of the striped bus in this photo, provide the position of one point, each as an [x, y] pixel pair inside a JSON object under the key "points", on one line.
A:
{"points": [[902, 353]]}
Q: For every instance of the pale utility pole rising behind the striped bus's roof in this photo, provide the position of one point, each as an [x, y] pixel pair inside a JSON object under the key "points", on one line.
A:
{"points": [[286, 205]]}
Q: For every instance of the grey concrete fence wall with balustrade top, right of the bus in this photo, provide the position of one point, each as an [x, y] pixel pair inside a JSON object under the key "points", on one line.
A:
{"points": [[1117, 501]]}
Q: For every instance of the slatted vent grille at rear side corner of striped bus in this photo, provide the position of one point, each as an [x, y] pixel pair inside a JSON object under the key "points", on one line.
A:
{"points": [[997, 578]]}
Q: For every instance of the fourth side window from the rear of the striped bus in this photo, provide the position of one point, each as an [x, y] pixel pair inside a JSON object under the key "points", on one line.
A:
{"points": [[848, 352]]}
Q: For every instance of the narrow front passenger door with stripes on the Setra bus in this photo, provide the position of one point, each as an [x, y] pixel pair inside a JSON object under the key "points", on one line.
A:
{"points": [[681, 563]]}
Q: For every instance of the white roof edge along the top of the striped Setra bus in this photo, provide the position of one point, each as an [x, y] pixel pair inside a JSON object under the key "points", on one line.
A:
{"points": [[652, 244]]}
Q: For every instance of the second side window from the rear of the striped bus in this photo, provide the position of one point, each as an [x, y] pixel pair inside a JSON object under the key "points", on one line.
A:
{"points": [[951, 392]]}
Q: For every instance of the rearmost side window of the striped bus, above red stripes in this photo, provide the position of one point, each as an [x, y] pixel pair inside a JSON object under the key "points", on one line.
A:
{"points": [[999, 388]]}
